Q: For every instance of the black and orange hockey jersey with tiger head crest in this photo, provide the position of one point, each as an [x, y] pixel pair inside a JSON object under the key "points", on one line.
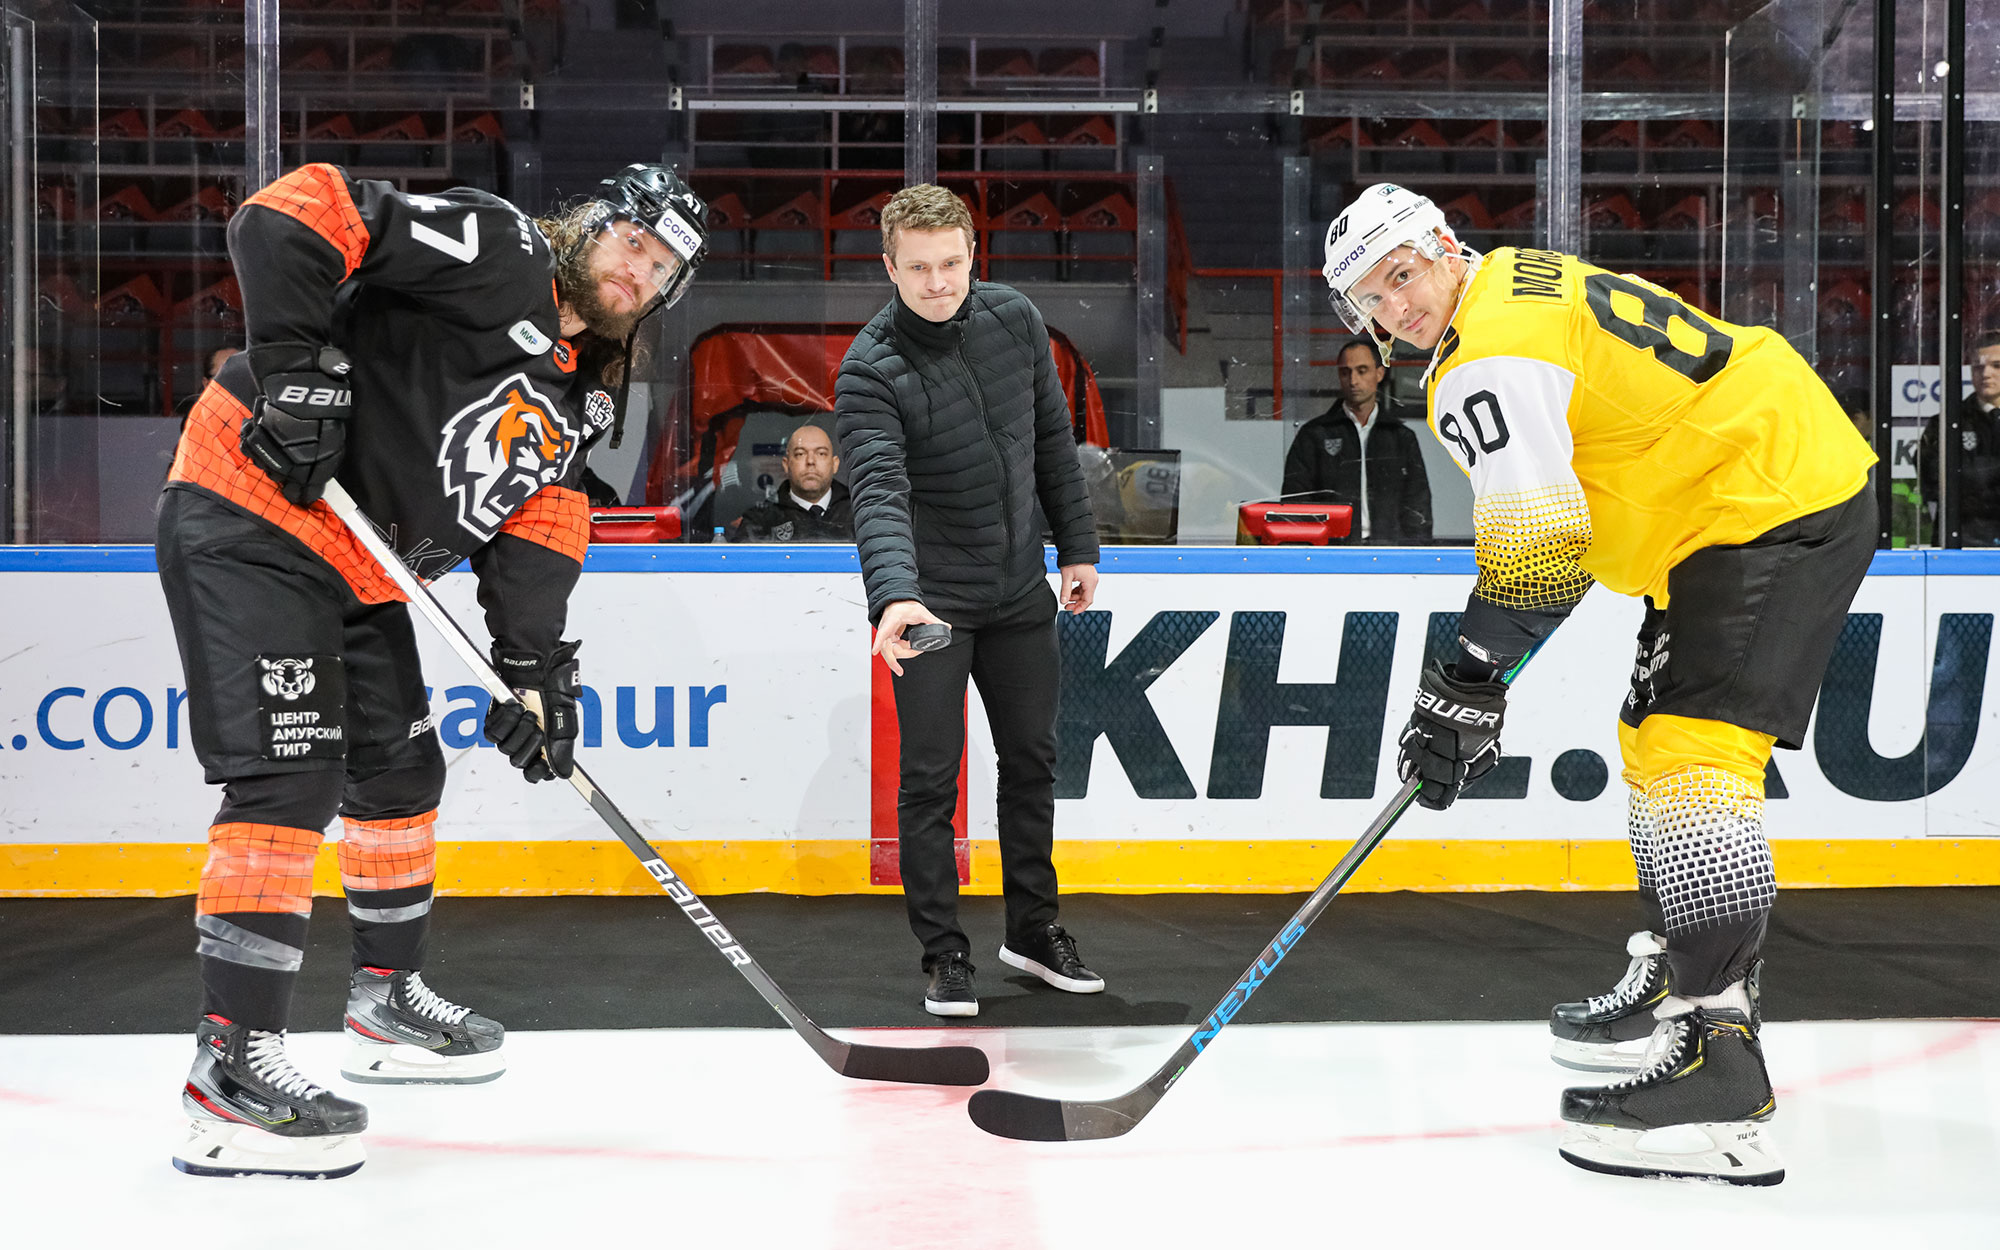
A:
{"points": [[471, 415]]}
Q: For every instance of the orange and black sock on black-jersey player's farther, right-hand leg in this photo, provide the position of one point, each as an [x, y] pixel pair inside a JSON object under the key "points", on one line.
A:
{"points": [[389, 871]]}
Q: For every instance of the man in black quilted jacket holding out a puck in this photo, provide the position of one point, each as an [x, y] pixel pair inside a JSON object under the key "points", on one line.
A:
{"points": [[955, 429]]}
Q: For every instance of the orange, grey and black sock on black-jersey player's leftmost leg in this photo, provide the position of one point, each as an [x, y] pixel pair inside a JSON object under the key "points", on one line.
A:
{"points": [[251, 913]]}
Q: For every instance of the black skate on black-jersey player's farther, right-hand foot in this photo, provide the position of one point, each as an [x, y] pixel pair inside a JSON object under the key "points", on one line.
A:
{"points": [[405, 1035]]}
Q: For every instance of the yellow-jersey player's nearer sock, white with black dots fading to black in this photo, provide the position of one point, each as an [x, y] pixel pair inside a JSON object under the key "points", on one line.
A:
{"points": [[1715, 875]]}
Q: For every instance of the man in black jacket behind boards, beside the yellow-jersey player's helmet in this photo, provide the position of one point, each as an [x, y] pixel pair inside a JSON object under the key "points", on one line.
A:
{"points": [[1361, 453]]}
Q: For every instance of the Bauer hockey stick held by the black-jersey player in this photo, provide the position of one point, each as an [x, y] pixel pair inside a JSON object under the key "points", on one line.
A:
{"points": [[929, 1065]]}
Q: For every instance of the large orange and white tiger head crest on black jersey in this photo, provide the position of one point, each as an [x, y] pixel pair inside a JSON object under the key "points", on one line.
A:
{"points": [[501, 451]]}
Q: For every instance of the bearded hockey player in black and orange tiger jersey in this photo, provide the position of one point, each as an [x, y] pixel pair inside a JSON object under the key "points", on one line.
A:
{"points": [[451, 361]]}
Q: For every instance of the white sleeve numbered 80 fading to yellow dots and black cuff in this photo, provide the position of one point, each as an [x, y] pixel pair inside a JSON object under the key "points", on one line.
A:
{"points": [[1507, 423]]}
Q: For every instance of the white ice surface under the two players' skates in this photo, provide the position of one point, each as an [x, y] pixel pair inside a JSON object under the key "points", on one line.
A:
{"points": [[1425, 1135]]}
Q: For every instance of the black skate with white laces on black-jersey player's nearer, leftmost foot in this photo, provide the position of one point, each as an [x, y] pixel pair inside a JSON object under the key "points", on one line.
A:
{"points": [[253, 1115]]}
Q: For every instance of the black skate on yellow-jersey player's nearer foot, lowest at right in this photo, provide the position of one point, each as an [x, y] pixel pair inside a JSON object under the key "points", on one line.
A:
{"points": [[1699, 1109]]}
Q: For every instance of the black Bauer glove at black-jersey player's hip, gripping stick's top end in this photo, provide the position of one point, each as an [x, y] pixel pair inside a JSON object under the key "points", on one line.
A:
{"points": [[299, 429]]}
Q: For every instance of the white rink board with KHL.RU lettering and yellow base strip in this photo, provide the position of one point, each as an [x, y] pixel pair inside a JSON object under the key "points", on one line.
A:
{"points": [[1229, 723]]}
